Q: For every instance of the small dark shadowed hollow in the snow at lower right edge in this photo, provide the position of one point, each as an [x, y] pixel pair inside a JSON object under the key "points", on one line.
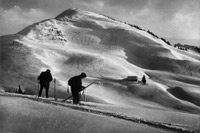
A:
{"points": [[180, 93]]}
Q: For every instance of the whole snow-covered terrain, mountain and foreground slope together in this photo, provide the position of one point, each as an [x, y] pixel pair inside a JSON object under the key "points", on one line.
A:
{"points": [[112, 53]]}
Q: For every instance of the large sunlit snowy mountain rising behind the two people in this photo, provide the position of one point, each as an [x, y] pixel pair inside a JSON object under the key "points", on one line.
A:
{"points": [[109, 51]]}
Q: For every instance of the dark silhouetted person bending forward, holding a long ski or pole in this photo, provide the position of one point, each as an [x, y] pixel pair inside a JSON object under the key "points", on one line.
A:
{"points": [[76, 87]]}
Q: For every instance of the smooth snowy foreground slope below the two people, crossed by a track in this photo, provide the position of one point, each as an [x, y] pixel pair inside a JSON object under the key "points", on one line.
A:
{"points": [[24, 113]]}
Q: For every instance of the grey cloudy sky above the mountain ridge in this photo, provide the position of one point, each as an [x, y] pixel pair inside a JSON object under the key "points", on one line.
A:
{"points": [[166, 18]]}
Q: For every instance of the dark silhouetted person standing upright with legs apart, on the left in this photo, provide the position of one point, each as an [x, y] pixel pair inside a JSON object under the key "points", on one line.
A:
{"points": [[44, 79]]}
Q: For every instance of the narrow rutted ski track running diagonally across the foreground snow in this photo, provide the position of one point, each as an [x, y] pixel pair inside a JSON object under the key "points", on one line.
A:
{"points": [[91, 109]]}
